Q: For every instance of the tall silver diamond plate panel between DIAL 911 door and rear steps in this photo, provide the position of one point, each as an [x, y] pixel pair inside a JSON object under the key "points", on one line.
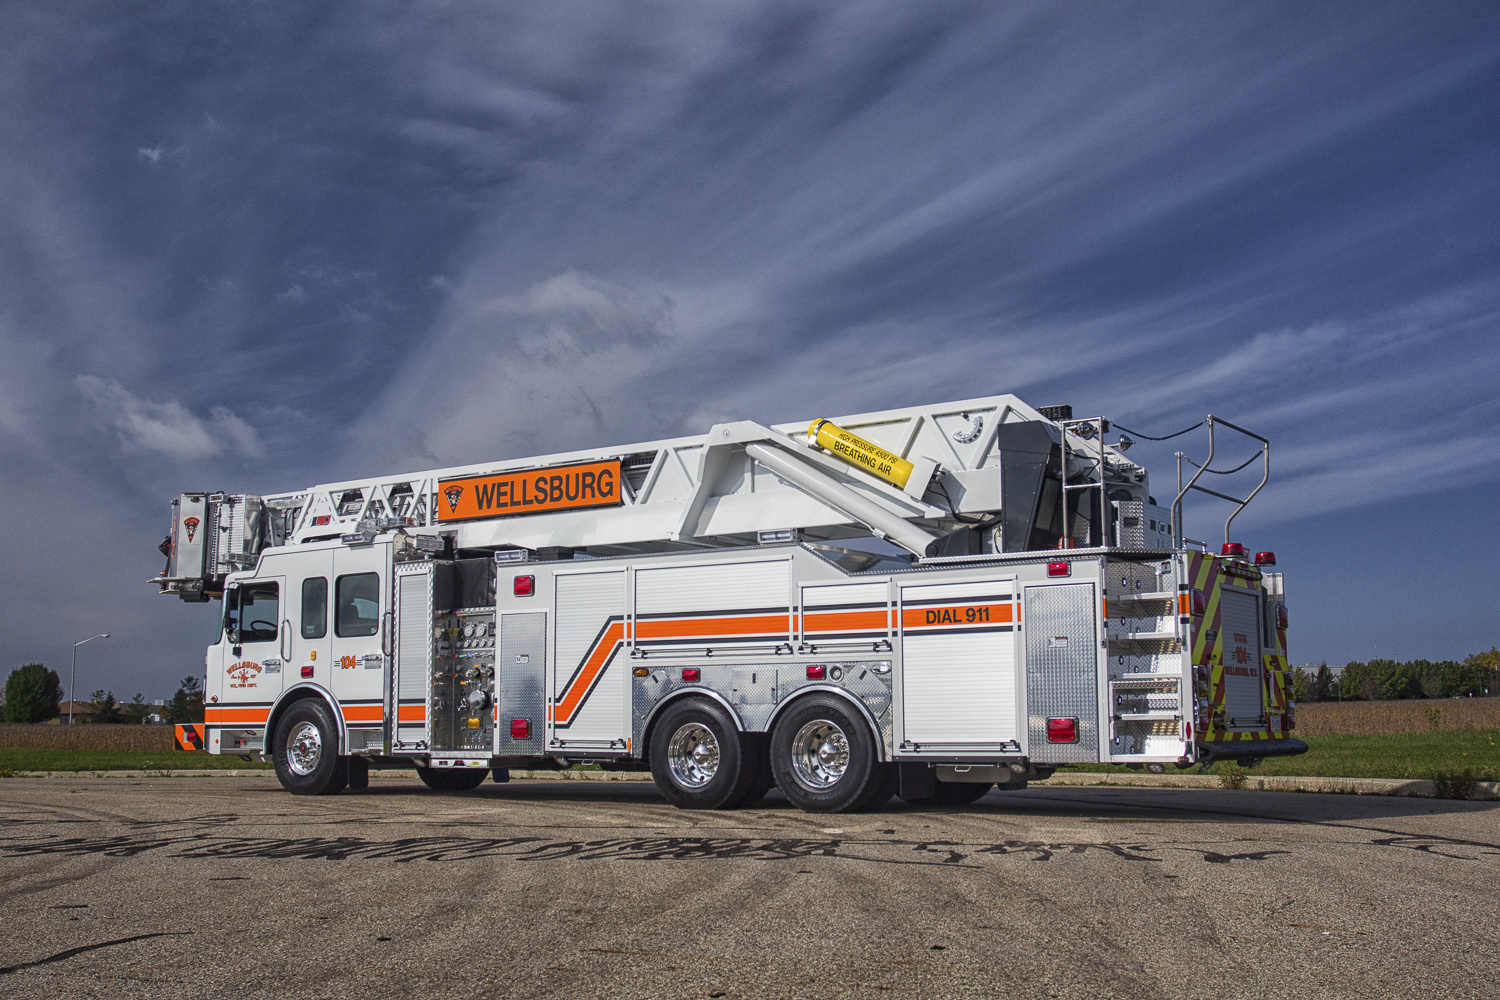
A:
{"points": [[1063, 669]]}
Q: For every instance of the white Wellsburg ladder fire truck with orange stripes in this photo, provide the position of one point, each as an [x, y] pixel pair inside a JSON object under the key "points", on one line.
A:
{"points": [[926, 602]]}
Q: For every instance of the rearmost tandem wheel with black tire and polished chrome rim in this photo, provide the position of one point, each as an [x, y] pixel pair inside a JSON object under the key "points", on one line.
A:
{"points": [[823, 756]]}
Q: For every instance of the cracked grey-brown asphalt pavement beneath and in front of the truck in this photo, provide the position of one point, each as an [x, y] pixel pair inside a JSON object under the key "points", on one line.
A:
{"points": [[232, 888]]}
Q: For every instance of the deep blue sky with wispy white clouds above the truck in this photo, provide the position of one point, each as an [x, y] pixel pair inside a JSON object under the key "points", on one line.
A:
{"points": [[253, 248]]}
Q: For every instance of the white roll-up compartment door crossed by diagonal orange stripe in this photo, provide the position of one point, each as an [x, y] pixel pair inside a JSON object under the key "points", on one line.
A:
{"points": [[590, 674]]}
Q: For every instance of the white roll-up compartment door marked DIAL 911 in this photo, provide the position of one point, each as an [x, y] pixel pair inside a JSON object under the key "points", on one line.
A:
{"points": [[959, 689]]}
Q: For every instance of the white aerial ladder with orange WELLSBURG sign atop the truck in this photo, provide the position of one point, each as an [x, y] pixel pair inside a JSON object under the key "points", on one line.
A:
{"points": [[715, 490]]}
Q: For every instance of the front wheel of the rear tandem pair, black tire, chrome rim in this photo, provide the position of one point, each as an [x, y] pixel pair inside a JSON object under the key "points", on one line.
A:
{"points": [[700, 759]]}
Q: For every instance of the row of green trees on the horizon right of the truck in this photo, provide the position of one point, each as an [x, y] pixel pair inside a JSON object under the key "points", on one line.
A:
{"points": [[1390, 680]]}
